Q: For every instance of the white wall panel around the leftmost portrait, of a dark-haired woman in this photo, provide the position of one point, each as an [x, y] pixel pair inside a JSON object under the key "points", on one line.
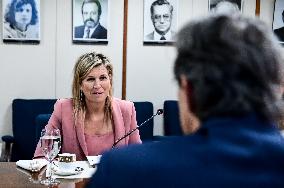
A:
{"points": [[28, 71]]}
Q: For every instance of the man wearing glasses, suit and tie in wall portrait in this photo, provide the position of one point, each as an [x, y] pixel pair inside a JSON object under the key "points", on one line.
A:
{"points": [[161, 17]]}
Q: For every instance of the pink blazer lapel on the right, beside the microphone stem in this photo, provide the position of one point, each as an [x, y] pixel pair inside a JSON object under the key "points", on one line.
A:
{"points": [[119, 129]]}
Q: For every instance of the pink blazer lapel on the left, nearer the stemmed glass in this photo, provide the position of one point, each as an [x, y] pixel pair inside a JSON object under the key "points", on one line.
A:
{"points": [[79, 126]]}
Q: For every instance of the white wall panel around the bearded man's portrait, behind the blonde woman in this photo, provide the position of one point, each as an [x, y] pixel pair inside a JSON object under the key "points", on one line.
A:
{"points": [[67, 53]]}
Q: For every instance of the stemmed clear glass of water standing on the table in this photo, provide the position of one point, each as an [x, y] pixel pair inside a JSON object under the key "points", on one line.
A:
{"points": [[50, 143]]}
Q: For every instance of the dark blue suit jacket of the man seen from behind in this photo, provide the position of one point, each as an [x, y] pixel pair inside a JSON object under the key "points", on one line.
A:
{"points": [[225, 152]]}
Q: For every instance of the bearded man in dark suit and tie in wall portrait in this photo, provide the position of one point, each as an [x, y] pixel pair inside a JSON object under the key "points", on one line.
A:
{"points": [[91, 11]]}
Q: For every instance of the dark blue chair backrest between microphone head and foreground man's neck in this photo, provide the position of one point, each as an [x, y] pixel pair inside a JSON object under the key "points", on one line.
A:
{"points": [[171, 118]]}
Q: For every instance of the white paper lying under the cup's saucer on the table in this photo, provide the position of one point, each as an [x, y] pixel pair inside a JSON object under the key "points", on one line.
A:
{"points": [[87, 171]]}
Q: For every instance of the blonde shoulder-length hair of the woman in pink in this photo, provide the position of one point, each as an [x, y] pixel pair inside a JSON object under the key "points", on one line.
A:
{"points": [[83, 66]]}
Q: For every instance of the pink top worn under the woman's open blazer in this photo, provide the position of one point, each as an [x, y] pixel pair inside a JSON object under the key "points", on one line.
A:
{"points": [[97, 144]]}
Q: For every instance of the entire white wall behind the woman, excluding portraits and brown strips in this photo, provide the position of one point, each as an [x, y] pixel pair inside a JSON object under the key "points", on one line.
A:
{"points": [[45, 70]]}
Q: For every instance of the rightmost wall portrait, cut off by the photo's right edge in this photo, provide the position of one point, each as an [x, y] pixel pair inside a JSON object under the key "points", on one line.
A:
{"points": [[278, 20]]}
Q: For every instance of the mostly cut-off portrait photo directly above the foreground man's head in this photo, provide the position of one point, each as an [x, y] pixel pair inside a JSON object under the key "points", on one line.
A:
{"points": [[225, 6]]}
